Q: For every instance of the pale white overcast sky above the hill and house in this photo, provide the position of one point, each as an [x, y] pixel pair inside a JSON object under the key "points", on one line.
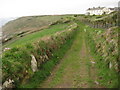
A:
{"points": [[18, 8]]}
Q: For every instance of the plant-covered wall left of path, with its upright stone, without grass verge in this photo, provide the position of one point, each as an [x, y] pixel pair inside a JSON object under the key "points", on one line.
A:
{"points": [[20, 63]]}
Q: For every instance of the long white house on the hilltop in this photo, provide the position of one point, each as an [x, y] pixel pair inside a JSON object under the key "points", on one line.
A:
{"points": [[99, 11]]}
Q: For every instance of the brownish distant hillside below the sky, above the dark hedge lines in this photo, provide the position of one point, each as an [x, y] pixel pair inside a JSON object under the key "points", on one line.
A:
{"points": [[28, 23]]}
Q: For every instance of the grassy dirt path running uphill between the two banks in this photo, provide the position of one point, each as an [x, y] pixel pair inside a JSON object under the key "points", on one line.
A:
{"points": [[76, 69]]}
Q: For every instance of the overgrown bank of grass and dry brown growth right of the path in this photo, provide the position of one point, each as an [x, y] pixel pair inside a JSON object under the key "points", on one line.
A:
{"points": [[104, 47]]}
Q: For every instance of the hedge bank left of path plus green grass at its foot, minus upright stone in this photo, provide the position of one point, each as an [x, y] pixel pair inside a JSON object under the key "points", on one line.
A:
{"points": [[17, 60]]}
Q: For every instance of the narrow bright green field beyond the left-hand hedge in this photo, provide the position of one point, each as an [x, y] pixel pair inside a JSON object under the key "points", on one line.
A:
{"points": [[37, 35]]}
